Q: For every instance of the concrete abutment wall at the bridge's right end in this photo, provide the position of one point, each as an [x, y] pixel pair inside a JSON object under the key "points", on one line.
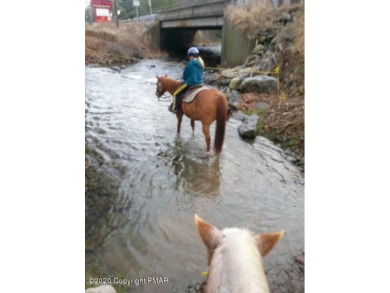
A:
{"points": [[235, 46]]}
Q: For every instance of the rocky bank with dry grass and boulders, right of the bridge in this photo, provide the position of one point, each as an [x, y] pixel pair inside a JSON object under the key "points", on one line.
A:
{"points": [[279, 55]]}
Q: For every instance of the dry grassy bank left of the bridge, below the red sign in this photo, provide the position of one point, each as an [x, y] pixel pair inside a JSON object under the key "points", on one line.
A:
{"points": [[107, 45]]}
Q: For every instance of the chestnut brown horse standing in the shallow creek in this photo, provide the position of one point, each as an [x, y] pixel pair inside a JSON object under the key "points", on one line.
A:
{"points": [[208, 105]]}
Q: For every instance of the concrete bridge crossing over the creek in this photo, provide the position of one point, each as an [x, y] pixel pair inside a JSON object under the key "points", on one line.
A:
{"points": [[177, 26]]}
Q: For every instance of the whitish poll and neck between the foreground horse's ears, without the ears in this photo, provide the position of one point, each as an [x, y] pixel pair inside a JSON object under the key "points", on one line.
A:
{"points": [[236, 264]]}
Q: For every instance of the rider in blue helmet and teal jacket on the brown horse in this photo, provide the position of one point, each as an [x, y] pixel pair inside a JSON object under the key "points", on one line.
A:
{"points": [[192, 76]]}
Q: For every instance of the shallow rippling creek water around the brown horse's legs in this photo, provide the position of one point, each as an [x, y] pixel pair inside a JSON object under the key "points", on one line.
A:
{"points": [[144, 184]]}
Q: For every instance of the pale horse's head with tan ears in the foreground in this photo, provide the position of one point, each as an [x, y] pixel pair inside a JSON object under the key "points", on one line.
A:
{"points": [[236, 250]]}
